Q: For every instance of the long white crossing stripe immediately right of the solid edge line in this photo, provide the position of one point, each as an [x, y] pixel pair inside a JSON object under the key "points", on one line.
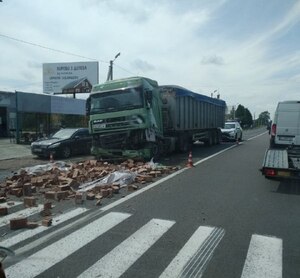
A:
{"points": [[59, 250]]}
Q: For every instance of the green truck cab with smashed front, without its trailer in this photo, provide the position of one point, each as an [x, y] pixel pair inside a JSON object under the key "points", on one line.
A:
{"points": [[125, 118]]}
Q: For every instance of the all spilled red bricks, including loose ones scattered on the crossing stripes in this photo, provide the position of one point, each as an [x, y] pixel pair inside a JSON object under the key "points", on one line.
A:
{"points": [[58, 185]]}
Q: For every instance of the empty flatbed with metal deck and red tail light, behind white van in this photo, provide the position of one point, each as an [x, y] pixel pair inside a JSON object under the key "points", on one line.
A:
{"points": [[277, 165]]}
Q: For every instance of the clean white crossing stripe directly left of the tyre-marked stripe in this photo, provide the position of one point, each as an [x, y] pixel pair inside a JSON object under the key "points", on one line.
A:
{"points": [[115, 263]]}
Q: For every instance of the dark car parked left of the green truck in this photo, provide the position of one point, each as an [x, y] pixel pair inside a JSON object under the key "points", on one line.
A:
{"points": [[64, 143]]}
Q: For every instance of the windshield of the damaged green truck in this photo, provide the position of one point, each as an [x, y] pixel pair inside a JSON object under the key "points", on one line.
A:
{"points": [[117, 100]]}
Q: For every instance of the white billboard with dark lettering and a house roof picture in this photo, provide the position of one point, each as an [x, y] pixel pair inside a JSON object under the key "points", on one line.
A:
{"points": [[58, 75]]}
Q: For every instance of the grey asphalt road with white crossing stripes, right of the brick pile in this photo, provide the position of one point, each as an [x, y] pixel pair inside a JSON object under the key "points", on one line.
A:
{"points": [[221, 218]]}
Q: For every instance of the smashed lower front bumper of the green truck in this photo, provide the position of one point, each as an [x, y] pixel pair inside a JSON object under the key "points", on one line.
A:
{"points": [[121, 154]]}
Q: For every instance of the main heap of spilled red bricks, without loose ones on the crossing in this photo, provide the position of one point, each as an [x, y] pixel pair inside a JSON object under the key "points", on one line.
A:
{"points": [[58, 185]]}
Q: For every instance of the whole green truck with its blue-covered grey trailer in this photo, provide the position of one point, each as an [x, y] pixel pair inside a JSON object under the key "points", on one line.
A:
{"points": [[136, 118]]}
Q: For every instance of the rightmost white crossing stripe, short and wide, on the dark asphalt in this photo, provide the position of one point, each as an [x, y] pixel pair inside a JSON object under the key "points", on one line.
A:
{"points": [[264, 258]]}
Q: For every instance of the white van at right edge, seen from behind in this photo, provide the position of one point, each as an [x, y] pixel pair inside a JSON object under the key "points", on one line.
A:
{"points": [[286, 125]]}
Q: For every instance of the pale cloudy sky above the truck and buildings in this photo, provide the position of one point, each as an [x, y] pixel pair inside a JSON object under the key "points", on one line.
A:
{"points": [[247, 51]]}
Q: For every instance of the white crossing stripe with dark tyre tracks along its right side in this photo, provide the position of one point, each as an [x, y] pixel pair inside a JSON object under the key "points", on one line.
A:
{"points": [[194, 256]]}
